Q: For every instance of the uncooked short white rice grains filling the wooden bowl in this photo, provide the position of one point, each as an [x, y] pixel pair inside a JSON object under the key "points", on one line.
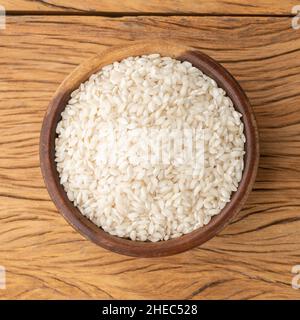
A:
{"points": [[148, 200]]}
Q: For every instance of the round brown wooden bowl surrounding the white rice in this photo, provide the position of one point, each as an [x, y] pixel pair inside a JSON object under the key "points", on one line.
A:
{"points": [[84, 225]]}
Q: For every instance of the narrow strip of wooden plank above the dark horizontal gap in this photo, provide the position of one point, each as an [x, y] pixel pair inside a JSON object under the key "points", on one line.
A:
{"points": [[225, 7]]}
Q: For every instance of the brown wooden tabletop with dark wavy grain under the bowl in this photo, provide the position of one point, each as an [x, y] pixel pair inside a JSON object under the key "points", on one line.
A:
{"points": [[253, 257]]}
